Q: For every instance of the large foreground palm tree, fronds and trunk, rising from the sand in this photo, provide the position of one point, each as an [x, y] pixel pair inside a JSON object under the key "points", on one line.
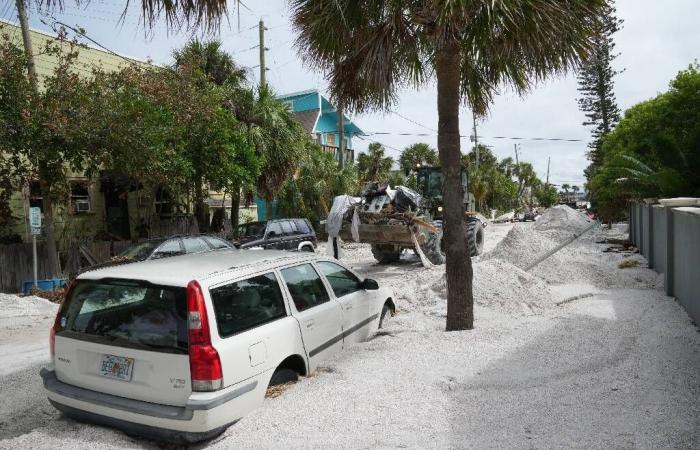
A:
{"points": [[472, 47]]}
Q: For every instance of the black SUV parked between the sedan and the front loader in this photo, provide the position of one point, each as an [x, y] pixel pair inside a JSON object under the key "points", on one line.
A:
{"points": [[280, 234]]}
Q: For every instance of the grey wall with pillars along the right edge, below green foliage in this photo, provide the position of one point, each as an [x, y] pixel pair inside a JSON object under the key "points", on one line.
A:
{"points": [[670, 240]]}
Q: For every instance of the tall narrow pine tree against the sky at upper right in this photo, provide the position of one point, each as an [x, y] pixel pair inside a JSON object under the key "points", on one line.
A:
{"points": [[596, 85]]}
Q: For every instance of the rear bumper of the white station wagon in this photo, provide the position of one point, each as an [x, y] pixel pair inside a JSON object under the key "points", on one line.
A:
{"points": [[205, 415]]}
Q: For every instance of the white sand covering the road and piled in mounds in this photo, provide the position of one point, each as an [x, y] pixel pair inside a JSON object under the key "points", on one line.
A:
{"points": [[616, 369]]}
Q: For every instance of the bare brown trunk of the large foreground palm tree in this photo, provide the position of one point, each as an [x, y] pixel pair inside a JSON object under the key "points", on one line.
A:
{"points": [[460, 299]]}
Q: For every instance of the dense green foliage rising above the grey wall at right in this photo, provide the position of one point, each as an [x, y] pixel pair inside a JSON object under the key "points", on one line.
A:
{"points": [[654, 151]]}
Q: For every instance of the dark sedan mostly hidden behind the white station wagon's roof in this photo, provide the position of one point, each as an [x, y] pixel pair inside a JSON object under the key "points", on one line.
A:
{"points": [[172, 246]]}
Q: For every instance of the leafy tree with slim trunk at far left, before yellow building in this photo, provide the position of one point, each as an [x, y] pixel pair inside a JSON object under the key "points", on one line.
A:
{"points": [[48, 130]]}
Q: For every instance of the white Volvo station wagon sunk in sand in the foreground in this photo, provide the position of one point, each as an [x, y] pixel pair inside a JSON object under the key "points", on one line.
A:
{"points": [[180, 348]]}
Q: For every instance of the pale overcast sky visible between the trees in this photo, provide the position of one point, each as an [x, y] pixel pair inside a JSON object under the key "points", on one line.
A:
{"points": [[658, 39]]}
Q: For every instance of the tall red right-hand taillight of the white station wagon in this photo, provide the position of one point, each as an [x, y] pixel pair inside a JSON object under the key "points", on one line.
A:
{"points": [[205, 365]]}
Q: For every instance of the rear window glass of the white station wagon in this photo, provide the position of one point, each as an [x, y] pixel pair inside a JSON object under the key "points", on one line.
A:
{"points": [[128, 314]]}
